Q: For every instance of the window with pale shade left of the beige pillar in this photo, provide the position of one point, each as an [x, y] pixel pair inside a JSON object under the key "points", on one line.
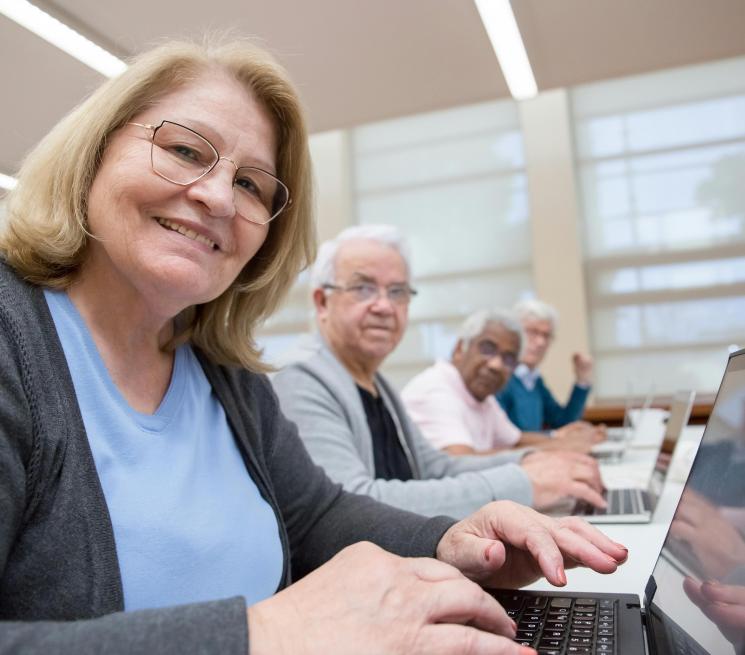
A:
{"points": [[454, 182]]}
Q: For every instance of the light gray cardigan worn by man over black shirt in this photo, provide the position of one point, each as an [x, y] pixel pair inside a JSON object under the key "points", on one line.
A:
{"points": [[320, 395]]}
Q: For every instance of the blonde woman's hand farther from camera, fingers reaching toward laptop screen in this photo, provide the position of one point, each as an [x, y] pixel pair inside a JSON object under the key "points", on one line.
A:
{"points": [[509, 545]]}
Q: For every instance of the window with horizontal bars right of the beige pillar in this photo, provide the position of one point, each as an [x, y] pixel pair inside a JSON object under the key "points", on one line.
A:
{"points": [[661, 164]]}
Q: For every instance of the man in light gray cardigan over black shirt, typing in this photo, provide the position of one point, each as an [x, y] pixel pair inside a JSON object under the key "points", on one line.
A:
{"points": [[351, 419]]}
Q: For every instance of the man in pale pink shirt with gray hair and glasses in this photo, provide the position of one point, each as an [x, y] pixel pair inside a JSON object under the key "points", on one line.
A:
{"points": [[453, 404]]}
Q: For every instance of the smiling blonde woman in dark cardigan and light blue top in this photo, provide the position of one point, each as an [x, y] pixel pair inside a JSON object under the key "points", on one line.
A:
{"points": [[152, 496]]}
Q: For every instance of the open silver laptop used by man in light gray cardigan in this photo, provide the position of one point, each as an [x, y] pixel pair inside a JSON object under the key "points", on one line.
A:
{"points": [[637, 505]]}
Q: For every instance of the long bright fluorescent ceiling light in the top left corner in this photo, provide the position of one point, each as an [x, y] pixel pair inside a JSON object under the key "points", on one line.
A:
{"points": [[63, 37]]}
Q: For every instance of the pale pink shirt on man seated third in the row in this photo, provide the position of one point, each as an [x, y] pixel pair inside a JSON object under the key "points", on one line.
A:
{"points": [[438, 401]]}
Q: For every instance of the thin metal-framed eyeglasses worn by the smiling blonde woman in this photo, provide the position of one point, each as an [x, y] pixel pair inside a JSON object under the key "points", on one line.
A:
{"points": [[182, 156]]}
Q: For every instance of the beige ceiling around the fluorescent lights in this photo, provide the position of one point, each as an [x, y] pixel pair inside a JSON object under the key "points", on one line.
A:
{"points": [[356, 61]]}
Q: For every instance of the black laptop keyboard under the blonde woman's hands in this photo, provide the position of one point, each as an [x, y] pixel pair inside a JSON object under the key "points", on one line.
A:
{"points": [[559, 626]]}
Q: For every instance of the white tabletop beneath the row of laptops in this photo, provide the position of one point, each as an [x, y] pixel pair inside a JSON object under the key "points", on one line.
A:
{"points": [[644, 541]]}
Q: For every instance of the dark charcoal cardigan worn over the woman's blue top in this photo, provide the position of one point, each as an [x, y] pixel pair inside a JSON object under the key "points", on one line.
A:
{"points": [[60, 585]]}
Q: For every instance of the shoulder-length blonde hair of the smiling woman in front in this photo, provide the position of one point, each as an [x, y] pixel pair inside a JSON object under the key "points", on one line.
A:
{"points": [[45, 237]]}
